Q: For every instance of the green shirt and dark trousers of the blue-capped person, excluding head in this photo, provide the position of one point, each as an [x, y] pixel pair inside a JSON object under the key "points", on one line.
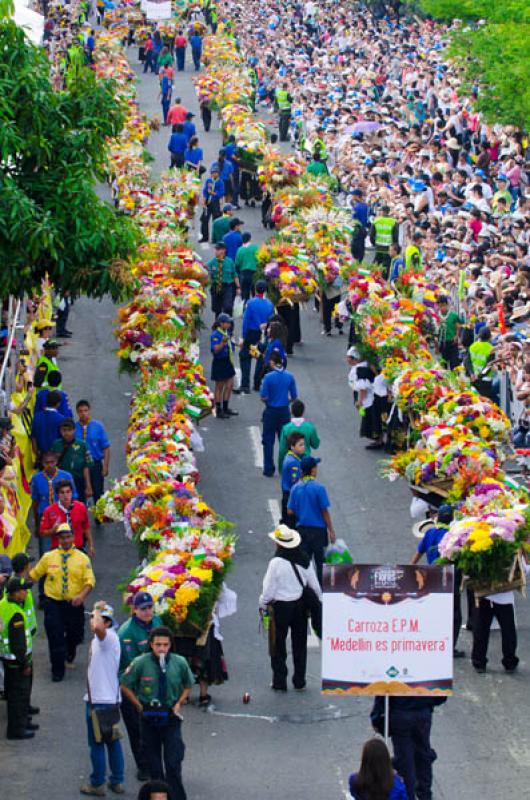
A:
{"points": [[134, 641]]}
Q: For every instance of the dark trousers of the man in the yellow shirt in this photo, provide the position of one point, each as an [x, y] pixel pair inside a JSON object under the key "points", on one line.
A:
{"points": [[65, 627]]}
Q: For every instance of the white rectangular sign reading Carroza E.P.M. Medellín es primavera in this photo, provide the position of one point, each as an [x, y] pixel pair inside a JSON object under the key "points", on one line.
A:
{"points": [[387, 630]]}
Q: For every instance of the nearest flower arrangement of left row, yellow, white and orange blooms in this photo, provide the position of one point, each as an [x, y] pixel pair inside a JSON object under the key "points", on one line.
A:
{"points": [[185, 581]]}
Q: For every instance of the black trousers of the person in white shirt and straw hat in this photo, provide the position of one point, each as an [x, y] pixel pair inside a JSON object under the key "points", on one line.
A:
{"points": [[289, 615]]}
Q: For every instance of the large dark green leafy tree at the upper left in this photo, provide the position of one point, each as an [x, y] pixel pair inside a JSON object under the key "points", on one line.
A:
{"points": [[52, 152]]}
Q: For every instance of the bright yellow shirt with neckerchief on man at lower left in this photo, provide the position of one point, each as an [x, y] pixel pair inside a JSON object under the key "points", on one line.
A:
{"points": [[67, 573]]}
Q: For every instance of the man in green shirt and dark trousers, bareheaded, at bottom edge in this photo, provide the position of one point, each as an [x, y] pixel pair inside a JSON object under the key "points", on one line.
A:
{"points": [[158, 684]]}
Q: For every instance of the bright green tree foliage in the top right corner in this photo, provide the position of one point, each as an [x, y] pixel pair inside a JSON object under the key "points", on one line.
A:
{"points": [[491, 47]]}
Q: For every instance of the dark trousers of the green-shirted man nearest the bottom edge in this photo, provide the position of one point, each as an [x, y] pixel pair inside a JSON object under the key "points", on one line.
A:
{"points": [[164, 750]]}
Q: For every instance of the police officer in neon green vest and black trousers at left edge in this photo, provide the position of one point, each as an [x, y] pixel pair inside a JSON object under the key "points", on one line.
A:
{"points": [[15, 651]]}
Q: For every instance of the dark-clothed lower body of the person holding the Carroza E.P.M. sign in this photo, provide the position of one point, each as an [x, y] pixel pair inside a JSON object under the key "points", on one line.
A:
{"points": [[410, 730]]}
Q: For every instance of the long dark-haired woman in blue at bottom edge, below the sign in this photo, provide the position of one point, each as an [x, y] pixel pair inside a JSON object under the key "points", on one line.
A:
{"points": [[376, 779]]}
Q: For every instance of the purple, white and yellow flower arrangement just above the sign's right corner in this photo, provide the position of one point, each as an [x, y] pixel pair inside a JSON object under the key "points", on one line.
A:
{"points": [[484, 547]]}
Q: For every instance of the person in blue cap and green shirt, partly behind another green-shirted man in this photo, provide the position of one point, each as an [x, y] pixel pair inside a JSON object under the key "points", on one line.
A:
{"points": [[134, 641]]}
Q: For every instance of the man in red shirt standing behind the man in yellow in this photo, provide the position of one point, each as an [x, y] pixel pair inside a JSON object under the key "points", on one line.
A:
{"points": [[69, 512]]}
